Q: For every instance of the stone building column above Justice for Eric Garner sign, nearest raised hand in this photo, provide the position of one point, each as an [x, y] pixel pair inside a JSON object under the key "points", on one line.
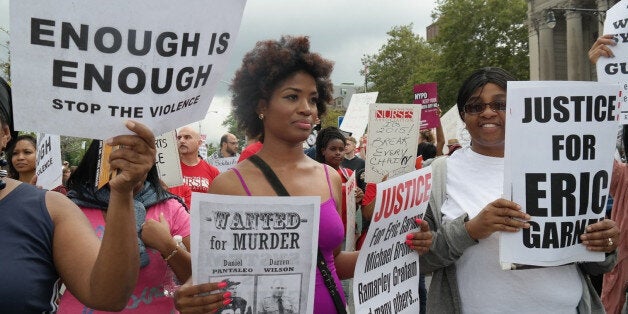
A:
{"points": [[575, 46]]}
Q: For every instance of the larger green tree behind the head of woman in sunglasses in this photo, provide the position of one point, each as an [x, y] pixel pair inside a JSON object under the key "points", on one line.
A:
{"points": [[478, 33]]}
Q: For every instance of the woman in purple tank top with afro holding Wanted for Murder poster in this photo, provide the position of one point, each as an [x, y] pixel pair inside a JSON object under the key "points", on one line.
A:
{"points": [[278, 93]]}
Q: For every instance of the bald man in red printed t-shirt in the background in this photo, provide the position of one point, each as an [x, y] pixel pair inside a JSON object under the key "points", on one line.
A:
{"points": [[197, 173]]}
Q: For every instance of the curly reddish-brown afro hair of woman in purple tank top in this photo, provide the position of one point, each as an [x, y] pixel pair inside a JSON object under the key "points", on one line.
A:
{"points": [[268, 65]]}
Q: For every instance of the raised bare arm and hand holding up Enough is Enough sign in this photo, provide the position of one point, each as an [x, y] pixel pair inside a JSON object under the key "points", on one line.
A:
{"points": [[102, 275]]}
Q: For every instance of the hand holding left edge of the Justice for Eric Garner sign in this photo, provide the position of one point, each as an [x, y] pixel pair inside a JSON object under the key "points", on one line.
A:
{"points": [[499, 215]]}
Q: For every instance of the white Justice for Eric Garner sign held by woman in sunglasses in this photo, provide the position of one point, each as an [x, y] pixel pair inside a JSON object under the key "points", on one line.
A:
{"points": [[560, 140]]}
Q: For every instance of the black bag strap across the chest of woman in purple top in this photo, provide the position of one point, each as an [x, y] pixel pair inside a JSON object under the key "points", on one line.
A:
{"points": [[328, 279]]}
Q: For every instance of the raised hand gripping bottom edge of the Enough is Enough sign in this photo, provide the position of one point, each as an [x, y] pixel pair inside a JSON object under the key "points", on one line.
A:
{"points": [[134, 157]]}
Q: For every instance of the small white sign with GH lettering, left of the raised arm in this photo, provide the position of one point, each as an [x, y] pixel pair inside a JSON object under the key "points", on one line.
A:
{"points": [[49, 168]]}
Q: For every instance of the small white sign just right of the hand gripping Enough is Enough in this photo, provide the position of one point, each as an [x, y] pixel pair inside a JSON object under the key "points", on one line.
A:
{"points": [[168, 163]]}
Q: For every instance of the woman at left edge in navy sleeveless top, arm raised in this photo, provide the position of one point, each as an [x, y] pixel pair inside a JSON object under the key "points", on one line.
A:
{"points": [[45, 237]]}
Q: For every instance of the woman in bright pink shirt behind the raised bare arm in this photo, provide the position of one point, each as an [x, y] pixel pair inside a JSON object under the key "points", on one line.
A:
{"points": [[159, 216]]}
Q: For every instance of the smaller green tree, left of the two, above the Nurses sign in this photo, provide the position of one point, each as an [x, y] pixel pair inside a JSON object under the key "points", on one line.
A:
{"points": [[402, 62]]}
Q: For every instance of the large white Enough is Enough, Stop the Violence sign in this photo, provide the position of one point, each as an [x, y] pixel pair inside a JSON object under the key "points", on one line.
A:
{"points": [[81, 68]]}
